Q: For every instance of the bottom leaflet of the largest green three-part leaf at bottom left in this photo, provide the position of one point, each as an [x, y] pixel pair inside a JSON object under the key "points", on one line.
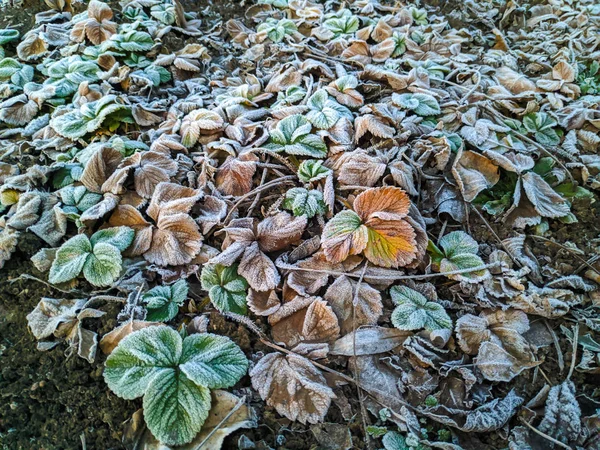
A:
{"points": [[175, 407]]}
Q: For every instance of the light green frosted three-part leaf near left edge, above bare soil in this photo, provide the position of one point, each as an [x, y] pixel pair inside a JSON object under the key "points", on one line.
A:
{"points": [[98, 257]]}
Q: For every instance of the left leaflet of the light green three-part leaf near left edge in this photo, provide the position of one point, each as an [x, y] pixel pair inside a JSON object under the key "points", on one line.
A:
{"points": [[70, 259]]}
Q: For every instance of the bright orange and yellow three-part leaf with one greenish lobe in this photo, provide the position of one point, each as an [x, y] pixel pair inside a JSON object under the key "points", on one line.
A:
{"points": [[377, 227]]}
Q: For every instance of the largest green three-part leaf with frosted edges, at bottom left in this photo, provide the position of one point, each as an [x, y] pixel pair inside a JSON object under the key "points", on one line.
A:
{"points": [[175, 376]]}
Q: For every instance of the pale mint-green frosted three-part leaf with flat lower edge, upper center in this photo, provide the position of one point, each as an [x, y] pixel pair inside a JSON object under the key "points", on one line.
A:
{"points": [[293, 136]]}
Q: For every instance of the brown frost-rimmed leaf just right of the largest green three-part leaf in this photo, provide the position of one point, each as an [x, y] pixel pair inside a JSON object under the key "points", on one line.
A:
{"points": [[293, 386]]}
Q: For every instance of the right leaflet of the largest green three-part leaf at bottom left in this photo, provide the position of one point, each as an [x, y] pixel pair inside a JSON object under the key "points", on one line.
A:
{"points": [[213, 361]]}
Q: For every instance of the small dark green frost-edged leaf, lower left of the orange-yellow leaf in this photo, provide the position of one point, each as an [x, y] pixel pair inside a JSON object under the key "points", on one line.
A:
{"points": [[226, 289]]}
